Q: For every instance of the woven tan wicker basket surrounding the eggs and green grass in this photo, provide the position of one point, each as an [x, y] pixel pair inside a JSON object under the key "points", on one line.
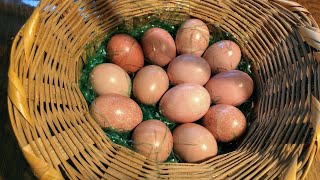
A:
{"points": [[60, 140]]}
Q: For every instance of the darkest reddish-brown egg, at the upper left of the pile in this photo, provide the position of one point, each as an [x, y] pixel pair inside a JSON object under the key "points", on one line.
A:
{"points": [[126, 52]]}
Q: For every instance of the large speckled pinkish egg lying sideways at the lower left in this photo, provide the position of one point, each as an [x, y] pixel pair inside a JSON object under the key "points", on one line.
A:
{"points": [[116, 111]]}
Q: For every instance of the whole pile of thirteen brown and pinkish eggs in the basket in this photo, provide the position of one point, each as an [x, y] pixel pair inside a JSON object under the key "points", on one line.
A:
{"points": [[199, 76]]}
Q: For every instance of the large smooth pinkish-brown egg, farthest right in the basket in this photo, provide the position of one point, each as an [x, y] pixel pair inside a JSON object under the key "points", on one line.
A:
{"points": [[231, 87]]}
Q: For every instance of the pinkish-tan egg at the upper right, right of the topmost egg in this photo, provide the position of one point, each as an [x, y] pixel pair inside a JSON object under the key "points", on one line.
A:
{"points": [[223, 55]]}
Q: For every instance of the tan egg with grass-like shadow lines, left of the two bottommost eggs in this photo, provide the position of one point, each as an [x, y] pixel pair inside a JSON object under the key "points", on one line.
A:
{"points": [[153, 139]]}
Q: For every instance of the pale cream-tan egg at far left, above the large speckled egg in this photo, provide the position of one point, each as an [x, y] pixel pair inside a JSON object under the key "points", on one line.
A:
{"points": [[109, 78]]}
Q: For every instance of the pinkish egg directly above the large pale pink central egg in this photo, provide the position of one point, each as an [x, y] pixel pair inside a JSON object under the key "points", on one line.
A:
{"points": [[188, 68]]}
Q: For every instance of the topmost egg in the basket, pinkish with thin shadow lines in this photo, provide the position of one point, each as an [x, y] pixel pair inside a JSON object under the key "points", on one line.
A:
{"points": [[192, 37]]}
